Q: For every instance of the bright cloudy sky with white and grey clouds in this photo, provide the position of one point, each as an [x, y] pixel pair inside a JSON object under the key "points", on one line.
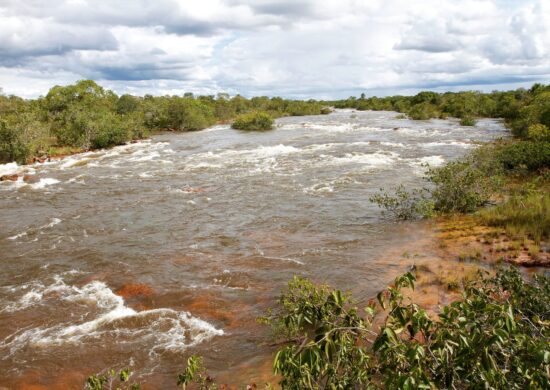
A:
{"points": [[292, 48]]}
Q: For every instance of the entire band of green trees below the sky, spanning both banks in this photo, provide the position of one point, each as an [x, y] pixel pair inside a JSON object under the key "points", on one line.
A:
{"points": [[86, 116]]}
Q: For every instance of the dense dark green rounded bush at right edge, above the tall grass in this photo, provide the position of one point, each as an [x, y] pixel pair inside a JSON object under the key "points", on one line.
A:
{"points": [[527, 155]]}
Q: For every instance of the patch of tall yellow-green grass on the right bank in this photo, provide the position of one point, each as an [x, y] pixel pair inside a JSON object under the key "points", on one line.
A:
{"points": [[521, 216]]}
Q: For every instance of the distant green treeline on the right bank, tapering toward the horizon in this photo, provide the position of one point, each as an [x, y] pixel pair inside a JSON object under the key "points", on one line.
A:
{"points": [[521, 108]]}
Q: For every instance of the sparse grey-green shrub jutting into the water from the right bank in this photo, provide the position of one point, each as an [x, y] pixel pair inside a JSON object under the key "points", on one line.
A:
{"points": [[404, 205]]}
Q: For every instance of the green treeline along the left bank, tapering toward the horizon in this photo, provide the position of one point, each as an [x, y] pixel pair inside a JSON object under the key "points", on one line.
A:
{"points": [[86, 116]]}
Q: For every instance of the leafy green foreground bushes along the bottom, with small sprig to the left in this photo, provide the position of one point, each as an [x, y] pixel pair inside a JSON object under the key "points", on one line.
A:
{"points": [[496, 336]]}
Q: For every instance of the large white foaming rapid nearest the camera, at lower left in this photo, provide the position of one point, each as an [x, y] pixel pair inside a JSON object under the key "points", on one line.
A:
{"points": [[106, 315]]}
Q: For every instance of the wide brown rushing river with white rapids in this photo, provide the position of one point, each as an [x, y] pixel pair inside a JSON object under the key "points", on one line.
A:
{"points": [[210, 225]]}
